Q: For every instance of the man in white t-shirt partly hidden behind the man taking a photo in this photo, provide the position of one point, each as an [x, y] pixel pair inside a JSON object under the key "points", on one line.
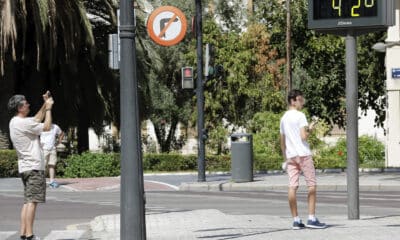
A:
{"points": [[48, 141]]}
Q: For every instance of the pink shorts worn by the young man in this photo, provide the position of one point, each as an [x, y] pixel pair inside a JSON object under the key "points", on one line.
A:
{"points": [[297, 165]]}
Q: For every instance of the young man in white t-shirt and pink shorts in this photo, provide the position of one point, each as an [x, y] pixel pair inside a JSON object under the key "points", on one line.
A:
{"points": [[294, 130]]}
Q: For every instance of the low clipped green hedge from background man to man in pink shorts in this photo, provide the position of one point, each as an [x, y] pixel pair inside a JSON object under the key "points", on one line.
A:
{"points": [[97, 164]]}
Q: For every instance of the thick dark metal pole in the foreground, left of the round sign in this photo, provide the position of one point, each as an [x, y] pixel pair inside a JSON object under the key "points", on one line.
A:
{"points": [[132, 209]]}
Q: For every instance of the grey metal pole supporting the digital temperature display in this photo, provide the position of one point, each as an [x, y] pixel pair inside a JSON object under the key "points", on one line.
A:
{"points": [[353, 204]]}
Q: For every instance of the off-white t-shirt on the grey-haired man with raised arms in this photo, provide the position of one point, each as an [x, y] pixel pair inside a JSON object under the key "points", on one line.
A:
{"points": [[24, 133]]}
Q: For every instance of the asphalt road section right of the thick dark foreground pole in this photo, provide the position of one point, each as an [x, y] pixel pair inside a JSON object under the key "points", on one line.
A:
{"points": [[274, 203]]}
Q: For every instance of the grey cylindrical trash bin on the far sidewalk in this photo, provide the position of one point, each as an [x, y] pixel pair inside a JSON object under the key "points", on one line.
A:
{"points": [[242, 157]]}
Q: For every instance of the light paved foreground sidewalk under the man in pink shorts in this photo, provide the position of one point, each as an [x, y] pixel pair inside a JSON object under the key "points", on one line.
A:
{"points": [[215, 225]]}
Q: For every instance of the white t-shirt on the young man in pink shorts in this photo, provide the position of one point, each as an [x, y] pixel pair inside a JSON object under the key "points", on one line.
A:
{"points": [[291, 123]]}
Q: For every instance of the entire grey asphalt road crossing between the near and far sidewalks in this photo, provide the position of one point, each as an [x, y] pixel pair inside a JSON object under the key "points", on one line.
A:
{"points": [[66, 208]]}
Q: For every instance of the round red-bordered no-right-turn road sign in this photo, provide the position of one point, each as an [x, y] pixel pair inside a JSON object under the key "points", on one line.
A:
{"points": [[167, 25]]}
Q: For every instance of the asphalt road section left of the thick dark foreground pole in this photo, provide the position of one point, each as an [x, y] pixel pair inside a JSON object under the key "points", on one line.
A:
{"points": [[60, 210]]}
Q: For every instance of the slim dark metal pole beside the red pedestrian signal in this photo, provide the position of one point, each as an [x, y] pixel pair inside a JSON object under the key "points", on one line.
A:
{"points": [[200, 94]]}
